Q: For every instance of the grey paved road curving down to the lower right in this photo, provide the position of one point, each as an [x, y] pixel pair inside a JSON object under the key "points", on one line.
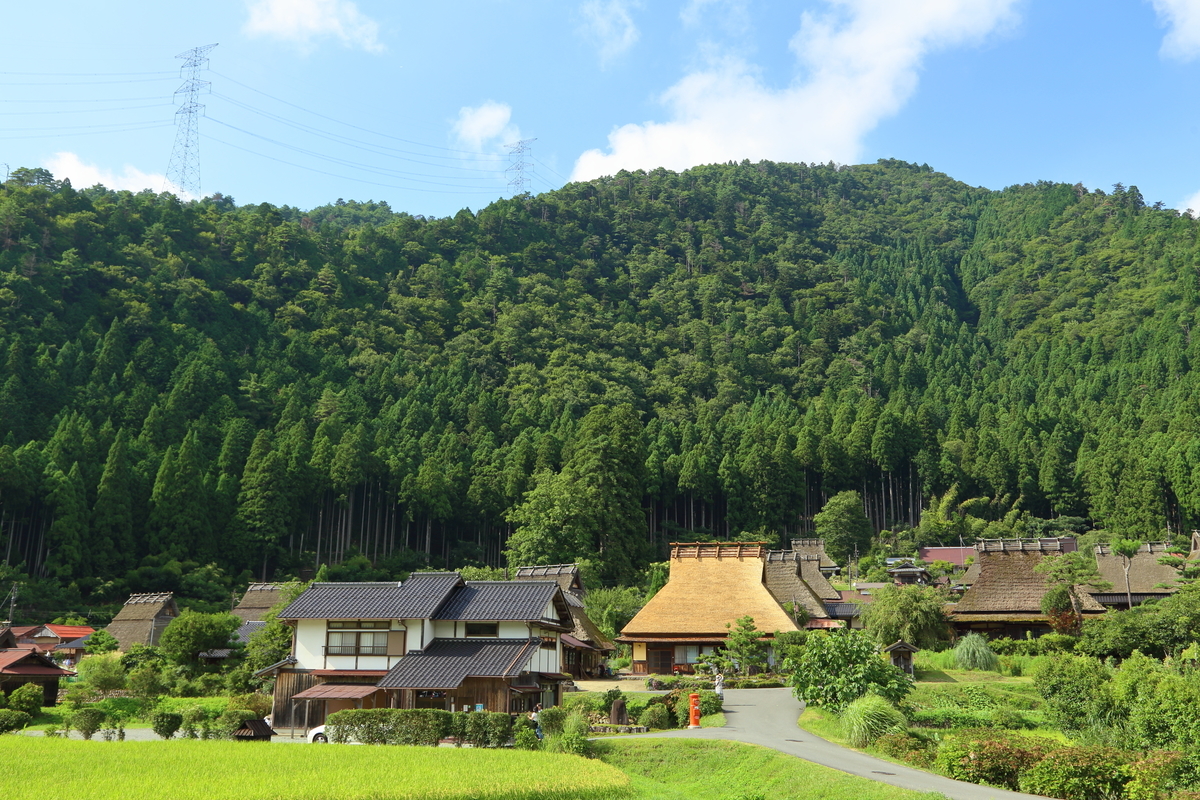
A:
{"points": [[767, 718]]}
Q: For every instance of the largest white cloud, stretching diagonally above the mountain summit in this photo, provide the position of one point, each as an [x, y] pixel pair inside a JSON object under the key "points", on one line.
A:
{"points": [[859, 65]]}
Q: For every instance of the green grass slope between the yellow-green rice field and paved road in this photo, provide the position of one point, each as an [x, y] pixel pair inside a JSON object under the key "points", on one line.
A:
{"points": [[682, 769]]}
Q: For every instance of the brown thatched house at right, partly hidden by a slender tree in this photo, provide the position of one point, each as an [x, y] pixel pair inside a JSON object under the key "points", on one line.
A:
{"points": [[1006, 600]]}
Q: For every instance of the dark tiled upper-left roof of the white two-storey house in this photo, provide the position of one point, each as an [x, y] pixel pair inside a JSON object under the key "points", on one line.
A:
{"points": [[418, 598]]}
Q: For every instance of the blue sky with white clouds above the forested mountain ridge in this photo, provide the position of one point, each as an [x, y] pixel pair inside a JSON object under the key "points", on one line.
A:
{"points": [[415, 103]]}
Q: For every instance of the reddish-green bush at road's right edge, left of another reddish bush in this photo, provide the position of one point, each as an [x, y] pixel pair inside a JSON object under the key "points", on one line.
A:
{"points": [[991, 756]]}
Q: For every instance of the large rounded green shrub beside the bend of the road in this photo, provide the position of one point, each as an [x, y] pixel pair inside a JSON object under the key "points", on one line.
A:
{"points": [[838, 667]]}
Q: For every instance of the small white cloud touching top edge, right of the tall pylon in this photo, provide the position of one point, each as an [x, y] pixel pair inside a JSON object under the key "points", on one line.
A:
{"points": [[305, 21]]}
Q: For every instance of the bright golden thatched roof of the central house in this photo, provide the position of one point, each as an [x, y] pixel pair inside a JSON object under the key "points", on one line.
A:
{"points": [[709, 587]]}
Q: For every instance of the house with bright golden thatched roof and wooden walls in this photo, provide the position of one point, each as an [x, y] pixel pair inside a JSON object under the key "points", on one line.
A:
{"points": [[709, 587]]}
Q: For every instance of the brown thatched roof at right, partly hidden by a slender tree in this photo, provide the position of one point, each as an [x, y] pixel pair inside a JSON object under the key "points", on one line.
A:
{"points": [[1007, 584]]}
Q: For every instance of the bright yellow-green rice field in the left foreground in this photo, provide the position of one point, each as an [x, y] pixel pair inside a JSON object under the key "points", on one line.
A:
{"points": [[232, 771]]}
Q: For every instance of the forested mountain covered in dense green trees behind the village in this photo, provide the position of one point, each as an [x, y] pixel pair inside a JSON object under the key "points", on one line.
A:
{"points": [[205, 389]]}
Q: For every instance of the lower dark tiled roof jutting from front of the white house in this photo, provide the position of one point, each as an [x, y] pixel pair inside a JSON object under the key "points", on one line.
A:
{"points": [[446, 664]]}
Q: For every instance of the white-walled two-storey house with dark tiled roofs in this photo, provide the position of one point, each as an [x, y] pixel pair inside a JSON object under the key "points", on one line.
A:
{"points": [[434, 641]]}
